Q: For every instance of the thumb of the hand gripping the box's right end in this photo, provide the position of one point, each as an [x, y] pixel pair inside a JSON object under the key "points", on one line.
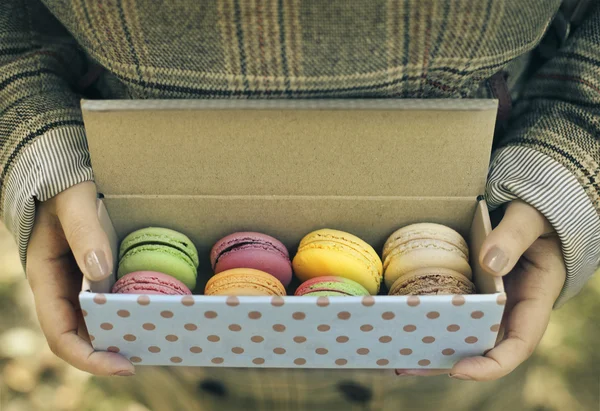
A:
{"points": [[521, 225]]}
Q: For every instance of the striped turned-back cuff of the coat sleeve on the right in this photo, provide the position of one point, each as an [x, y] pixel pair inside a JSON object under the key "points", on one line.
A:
{"points": [[542, 182]]}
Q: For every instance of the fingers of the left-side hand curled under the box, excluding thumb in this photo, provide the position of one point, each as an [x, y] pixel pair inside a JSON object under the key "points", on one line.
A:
{"points": [[55, 294]]}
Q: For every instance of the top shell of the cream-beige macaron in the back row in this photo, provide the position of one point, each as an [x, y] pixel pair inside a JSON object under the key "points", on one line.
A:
{"points": [[423, 231]]}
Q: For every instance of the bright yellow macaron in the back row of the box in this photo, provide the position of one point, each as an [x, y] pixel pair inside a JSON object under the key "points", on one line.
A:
{"points": [[329, 252]]}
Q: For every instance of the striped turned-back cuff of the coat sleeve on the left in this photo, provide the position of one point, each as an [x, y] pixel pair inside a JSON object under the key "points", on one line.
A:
{"points": [[55, 161]]}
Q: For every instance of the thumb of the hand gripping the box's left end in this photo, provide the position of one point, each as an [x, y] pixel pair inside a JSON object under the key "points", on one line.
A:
{"points": [[76, 211]]}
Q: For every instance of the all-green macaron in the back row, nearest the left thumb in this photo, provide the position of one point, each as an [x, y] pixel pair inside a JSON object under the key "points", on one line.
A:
{"points": [[160, 250]]}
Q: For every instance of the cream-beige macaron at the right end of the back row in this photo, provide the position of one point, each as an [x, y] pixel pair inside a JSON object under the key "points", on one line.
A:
{"points": [[424, 245]]}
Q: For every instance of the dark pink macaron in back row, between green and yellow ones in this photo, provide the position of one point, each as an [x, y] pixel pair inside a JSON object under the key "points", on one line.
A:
{"points": [[252, 250]]}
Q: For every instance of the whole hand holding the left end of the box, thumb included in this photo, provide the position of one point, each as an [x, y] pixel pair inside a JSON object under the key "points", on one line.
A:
{"points": [[67, 240]]}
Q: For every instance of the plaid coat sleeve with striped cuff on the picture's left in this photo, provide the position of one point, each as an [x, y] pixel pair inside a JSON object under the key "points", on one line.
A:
{"points": [[43, 148]]}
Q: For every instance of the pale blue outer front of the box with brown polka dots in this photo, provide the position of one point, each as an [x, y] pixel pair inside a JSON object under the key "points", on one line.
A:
{"points": [[343, 332]]}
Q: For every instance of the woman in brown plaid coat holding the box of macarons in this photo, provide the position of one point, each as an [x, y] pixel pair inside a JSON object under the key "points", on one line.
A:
{"points": [[545, 169]]}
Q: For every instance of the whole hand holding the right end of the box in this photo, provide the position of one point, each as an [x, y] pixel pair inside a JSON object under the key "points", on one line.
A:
{"points": [[524, 249]]}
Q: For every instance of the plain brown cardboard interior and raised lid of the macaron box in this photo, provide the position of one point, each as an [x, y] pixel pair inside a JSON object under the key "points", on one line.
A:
{"points": [[285, 168]]}
